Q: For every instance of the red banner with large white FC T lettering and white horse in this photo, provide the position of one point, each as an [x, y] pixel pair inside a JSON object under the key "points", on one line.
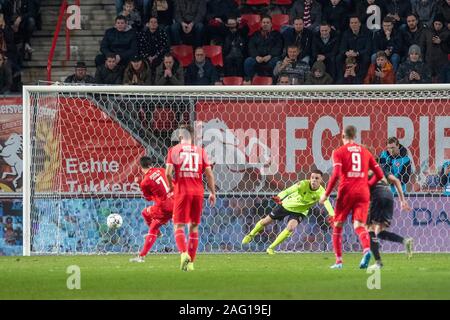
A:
{"points": [[282, 140]]}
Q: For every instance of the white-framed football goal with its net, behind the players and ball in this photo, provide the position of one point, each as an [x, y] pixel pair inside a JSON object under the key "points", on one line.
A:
{"points": [[81, 150]]}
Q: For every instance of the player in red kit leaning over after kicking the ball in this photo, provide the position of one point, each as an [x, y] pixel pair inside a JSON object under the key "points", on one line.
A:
{"points": [[154, 188]]}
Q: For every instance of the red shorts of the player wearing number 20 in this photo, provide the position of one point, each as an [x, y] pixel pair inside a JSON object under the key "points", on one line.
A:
{"points": [[187, 209]]}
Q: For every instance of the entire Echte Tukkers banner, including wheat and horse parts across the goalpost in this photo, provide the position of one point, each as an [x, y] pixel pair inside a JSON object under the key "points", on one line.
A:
{"points": [[78, 148]]}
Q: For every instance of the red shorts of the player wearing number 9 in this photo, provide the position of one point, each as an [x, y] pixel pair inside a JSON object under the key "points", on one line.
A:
{"points": [[359, 206]]}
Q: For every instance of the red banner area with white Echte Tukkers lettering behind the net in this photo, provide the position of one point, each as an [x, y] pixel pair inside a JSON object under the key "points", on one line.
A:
{"points": [[97, 154]]}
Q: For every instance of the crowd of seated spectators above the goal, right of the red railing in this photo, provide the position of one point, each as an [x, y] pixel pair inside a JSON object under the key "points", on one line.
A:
{"points": [[291, 42]]}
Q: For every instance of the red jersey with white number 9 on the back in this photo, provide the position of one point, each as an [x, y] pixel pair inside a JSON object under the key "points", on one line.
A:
{"points": [[354, 161]]}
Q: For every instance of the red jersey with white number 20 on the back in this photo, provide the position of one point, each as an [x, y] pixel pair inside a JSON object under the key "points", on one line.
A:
{"points": [[189, 161]]}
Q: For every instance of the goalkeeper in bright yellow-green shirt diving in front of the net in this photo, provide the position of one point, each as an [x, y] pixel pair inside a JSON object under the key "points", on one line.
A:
{"points": [[294, 202]]}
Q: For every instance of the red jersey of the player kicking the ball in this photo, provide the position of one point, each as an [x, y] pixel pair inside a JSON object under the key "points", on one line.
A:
{"points": [[154, 185]]}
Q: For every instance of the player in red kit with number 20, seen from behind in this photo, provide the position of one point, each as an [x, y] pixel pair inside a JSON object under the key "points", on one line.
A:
{"points": [[188, 162]]}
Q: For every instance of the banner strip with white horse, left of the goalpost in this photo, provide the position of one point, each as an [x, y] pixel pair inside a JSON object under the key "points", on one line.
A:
{"points": [[10, 144]]}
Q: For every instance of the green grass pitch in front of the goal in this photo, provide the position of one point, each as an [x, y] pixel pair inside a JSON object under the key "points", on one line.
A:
{"points": [[232, 276]]}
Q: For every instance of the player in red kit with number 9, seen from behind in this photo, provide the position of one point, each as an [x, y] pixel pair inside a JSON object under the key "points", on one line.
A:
{"points": [[351, 164]]}
